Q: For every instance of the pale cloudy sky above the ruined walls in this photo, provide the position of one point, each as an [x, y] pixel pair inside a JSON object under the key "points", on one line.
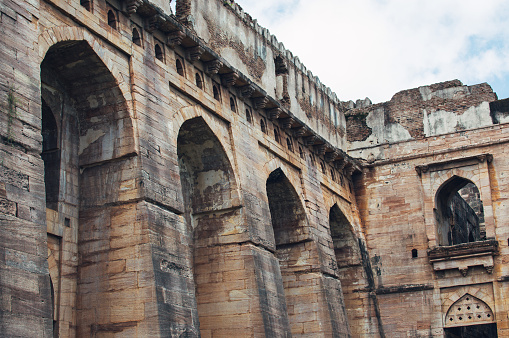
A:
{"points": [[376, 48]]}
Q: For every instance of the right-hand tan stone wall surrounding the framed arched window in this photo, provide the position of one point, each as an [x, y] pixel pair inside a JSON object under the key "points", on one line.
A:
{"points": [[391, 197]]}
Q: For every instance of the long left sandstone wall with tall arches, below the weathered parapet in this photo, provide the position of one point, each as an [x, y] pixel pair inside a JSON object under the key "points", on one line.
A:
{"points": [[151, 232]]}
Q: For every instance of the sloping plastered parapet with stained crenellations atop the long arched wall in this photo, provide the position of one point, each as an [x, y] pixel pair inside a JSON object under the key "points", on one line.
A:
{"points": [[253, 50]]}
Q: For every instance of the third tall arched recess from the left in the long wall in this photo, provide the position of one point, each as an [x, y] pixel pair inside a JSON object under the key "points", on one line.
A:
{"points": [[296, 252]]}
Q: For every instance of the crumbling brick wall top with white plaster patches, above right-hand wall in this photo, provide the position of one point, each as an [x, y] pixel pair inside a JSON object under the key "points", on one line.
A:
{"points": [[420, 112]]}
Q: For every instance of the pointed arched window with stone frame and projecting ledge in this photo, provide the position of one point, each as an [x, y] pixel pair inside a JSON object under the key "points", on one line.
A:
{"points": [[458, 213]]}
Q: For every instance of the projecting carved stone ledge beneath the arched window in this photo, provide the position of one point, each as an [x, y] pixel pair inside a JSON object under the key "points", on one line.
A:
{"points": [[463, 256]]}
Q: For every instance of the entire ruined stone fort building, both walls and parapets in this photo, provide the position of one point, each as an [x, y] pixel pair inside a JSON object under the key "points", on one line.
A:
{"points": [[182, 174]]}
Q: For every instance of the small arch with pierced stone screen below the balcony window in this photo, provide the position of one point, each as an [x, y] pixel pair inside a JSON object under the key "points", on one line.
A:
{"points": [[470, 317]]}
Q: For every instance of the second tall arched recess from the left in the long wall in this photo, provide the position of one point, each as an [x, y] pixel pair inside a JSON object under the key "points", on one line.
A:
{"points": [[214, 216]]}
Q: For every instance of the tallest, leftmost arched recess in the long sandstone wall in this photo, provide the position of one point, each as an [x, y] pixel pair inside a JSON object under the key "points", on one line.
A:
{"points": [[87, 130]]}
